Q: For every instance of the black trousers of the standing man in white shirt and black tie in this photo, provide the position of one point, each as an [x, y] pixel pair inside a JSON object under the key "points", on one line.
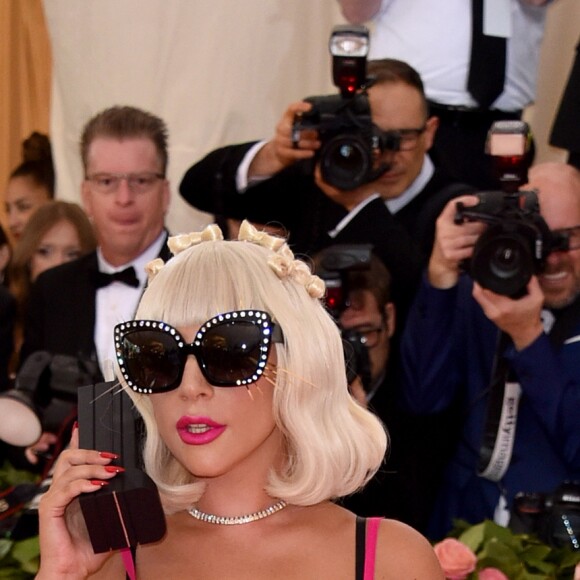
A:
{"points": [[459, 145]]}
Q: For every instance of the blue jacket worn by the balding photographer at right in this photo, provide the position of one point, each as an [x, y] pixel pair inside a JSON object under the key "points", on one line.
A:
{"points": [[448, 349]]}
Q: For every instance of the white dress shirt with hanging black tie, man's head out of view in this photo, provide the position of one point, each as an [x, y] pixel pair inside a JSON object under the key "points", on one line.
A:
{"points": [[434, 37]]}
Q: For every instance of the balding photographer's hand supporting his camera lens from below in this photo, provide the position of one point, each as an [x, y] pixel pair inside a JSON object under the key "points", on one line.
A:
{"points": [[520, 318]]}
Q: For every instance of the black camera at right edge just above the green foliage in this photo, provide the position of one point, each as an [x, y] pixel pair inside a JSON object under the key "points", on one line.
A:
{"points": [[554, 518]]}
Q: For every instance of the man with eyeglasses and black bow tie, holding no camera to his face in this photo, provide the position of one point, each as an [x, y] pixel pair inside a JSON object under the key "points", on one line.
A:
{"points": [[74, 308]]}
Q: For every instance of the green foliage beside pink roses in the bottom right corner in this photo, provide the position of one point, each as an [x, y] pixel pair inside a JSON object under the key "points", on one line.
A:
{"points": [[518, 556]]}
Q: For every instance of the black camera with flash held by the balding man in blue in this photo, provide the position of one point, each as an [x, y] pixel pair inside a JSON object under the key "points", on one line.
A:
{"points": [[517, 242]]}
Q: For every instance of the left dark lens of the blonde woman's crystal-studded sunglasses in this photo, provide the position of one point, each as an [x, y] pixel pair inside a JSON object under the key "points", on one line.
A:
{"points": [[151, 359]]}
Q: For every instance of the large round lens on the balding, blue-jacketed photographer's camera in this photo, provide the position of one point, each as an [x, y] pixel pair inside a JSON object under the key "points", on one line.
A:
{"points": [[502, 261]]}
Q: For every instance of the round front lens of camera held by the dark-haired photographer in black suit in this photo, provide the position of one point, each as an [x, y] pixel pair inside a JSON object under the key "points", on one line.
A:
{"points": [[345, 161]]}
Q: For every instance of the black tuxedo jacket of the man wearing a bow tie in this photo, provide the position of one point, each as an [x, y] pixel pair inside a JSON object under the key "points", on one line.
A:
{"points": [[62, 309]]}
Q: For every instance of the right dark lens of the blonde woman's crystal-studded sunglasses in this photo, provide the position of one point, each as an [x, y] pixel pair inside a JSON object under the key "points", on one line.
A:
{"points": [[231, 352]]}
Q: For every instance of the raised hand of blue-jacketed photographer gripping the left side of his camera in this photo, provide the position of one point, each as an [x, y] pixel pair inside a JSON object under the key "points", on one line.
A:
{"points": [[453, 244]]}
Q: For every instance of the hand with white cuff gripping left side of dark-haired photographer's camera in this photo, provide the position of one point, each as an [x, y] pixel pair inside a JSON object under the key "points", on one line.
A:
{"points": [[282, 150]]}
